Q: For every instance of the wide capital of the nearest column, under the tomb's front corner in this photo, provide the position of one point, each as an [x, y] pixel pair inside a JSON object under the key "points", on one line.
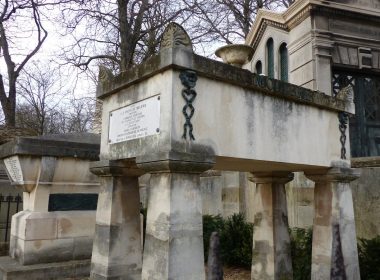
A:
{"points": [[175, 162]]}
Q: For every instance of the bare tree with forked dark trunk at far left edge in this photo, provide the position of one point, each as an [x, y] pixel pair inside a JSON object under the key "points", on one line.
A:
{"points": [[21, 18]]}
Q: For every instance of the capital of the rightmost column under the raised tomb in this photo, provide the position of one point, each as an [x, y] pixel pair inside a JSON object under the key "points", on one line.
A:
{"points": [[334, 174]]}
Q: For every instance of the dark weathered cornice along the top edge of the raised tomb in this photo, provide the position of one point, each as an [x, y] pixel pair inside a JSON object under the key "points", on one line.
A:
{"points": [[178, 59]]}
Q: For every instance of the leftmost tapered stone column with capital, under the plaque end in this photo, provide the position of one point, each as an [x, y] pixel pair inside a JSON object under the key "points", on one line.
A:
{"points": [[117, 251]]}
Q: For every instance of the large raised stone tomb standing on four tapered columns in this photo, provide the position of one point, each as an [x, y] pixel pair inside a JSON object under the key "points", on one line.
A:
{"points": [[178, 115]]}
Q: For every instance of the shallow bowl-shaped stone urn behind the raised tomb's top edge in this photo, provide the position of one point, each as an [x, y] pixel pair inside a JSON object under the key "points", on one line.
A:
{"points": [[235, 54]]}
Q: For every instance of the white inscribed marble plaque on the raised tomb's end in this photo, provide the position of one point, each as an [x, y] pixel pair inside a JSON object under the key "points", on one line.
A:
{"points": [[135, 121]]}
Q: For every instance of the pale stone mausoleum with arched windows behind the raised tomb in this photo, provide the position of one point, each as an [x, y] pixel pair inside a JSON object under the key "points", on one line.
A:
{"points": [[329, 46]]}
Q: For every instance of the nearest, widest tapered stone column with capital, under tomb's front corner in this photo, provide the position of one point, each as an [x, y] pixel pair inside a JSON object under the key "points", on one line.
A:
{"points": [[173, 240]]}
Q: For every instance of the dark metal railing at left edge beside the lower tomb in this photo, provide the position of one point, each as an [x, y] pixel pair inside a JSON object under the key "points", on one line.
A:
{"points": [[9, 205]]}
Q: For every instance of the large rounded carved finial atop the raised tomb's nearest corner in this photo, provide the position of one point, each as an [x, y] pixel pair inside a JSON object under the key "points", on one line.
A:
{"points": [[175, 36]]}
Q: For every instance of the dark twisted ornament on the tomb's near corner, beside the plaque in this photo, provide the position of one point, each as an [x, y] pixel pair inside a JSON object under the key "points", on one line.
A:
{"points": [[189, 80]]}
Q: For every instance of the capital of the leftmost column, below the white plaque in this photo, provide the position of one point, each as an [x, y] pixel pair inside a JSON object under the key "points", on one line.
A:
{"points": [[113, 168]]}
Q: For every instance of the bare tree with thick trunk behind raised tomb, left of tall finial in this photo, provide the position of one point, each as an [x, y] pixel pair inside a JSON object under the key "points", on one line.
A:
{"points": [[119, 33]]}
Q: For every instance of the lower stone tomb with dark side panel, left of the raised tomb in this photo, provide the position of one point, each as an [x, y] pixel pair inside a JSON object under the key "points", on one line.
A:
{"points": [[59, 205]]}
